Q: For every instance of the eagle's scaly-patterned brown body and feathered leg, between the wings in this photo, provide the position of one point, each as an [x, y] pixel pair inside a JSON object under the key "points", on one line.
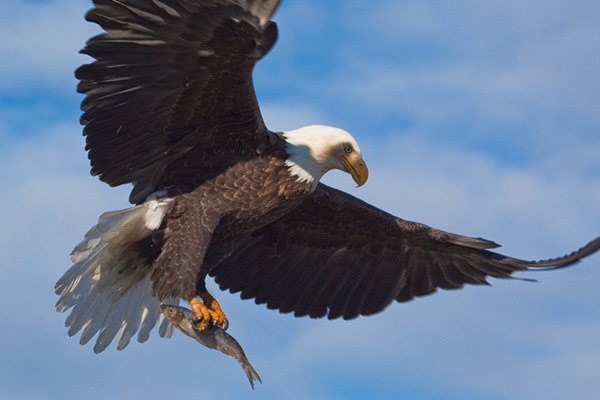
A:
{"points": [[206, 224]]}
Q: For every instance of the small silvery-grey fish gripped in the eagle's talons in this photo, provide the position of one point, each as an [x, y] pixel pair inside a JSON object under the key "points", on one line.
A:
{"points": [[212, 337]]}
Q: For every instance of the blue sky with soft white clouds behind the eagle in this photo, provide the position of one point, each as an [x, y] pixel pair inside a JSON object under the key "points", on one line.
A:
{"points": [[481, 118]]}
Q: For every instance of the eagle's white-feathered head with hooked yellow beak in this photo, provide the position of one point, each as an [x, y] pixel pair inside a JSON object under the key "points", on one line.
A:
{"points": [[315, 149]]}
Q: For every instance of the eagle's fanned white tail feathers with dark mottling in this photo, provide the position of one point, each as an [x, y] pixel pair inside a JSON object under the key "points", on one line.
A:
{"points": [[108, 288]]}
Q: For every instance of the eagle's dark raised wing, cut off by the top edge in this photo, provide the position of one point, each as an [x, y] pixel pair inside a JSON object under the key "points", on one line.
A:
{"points": [[172, 78]]}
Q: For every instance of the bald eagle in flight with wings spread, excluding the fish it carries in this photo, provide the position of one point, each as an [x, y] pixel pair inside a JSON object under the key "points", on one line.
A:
{"points": [[170, 108]]}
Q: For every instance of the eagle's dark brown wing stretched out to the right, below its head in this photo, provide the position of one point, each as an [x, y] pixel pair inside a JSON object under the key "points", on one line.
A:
{"points": [[337, 256]]}
